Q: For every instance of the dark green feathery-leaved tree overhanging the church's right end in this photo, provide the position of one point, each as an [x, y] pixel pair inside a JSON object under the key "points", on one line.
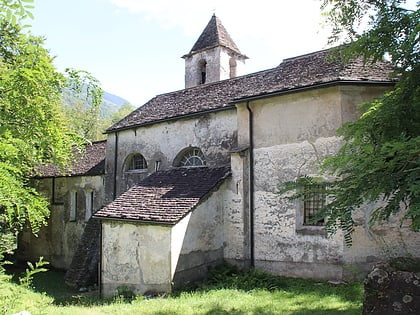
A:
{"points": [[380, 158]]}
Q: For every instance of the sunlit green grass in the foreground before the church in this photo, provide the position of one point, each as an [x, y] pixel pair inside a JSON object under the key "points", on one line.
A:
{"points": [[227, 292]]}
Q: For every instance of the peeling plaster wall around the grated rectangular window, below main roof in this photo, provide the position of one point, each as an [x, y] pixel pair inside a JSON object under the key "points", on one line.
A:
{"points": [[292, 134]]}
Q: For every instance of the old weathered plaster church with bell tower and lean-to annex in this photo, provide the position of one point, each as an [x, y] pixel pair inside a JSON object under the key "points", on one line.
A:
{"points": [[191, 178]]}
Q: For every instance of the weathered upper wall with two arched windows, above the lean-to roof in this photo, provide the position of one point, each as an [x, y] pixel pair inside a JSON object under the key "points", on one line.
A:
{"points": [[214, 134]]}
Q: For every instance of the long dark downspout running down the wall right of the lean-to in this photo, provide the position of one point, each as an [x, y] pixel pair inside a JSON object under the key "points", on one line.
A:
{"points": [[251, 186]]}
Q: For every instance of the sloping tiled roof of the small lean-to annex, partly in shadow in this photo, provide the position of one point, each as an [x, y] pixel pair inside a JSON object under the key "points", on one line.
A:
{"points": [[165, 197]]}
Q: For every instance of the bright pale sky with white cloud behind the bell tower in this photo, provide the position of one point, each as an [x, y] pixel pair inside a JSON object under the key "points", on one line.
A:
{"points": [[134, 47]]}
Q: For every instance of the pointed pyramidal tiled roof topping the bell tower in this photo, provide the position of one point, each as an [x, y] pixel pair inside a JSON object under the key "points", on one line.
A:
{"points": [[214, 35]]}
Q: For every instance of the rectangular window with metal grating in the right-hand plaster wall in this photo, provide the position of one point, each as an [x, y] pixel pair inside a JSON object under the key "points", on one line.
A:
{"points": [[314, 200]]}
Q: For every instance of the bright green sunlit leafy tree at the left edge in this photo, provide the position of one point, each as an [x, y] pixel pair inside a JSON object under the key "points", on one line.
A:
{"points": [[33, 130]]}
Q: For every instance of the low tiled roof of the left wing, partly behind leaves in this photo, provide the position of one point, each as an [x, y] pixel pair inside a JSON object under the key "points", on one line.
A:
{"points": [[88, 163]]}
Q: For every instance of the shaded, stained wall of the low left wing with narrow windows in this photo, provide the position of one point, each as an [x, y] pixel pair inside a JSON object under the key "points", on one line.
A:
{"points": [[58, 241]]}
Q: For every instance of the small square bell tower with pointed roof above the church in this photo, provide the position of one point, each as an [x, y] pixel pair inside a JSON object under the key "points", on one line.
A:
{"points": [[214, 56]]}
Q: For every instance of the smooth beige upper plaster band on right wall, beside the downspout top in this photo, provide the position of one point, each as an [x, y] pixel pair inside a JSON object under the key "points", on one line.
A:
{"points": [[297, 117]]}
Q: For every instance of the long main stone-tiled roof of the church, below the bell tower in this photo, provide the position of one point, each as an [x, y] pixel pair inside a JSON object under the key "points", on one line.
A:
{"points": [[309, 70]]}
